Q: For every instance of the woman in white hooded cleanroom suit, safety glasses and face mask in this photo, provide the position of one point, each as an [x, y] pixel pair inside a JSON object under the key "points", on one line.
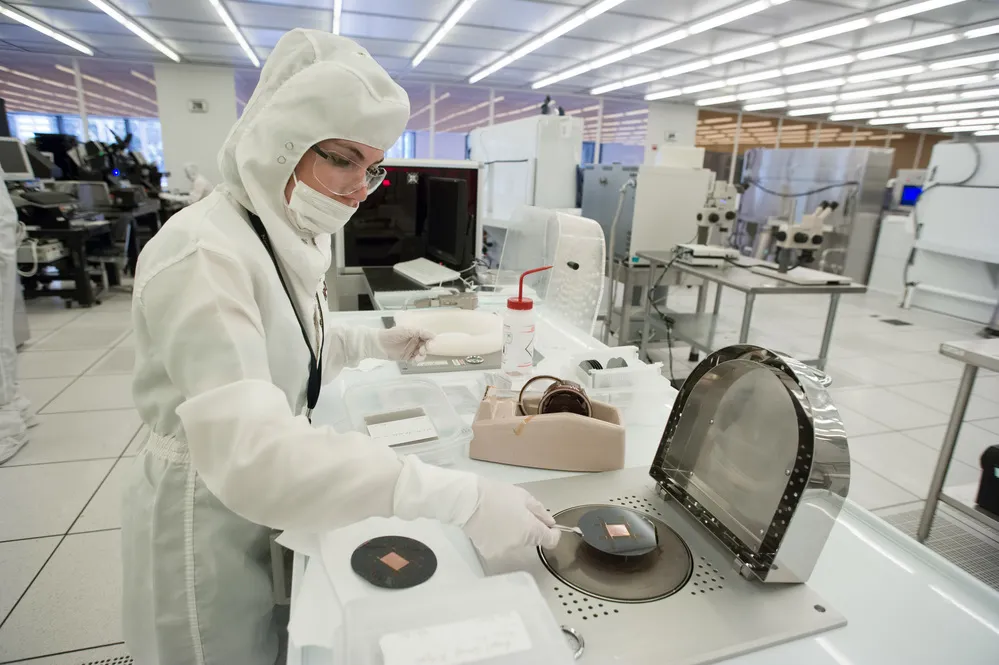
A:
{"points": [[222, 368]]}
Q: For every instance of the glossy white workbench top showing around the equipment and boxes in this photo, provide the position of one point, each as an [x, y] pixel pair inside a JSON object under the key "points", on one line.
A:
{"points": [[904, 604]]}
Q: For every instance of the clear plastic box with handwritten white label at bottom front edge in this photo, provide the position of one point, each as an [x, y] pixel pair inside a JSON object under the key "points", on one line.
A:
{"points": [[500, 620]]}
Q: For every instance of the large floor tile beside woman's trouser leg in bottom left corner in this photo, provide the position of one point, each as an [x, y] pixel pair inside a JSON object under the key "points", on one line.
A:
{"points": [[75, 602]]}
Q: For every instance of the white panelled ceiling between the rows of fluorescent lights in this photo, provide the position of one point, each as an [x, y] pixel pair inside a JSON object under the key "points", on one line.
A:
{"points": [[394, 30]]}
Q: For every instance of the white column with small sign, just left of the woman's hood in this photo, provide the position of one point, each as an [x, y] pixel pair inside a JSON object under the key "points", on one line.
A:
{"points": [[189, 135]]}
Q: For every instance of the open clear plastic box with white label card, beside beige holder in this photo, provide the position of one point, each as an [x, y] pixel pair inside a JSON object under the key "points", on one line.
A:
{"points": [[373, 403]]}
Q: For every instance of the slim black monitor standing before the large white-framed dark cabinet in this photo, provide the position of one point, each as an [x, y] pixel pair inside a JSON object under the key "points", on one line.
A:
{"points": [[448, 225]]}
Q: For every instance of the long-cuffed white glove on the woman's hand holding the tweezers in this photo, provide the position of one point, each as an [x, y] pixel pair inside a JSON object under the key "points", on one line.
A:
{"points": [[496, 517]]}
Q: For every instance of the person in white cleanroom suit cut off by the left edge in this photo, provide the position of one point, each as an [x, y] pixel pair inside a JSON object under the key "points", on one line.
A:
{"points": [[15, 417]]}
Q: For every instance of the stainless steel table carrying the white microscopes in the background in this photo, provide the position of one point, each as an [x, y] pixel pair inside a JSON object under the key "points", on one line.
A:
{"points": [[698, 329]]}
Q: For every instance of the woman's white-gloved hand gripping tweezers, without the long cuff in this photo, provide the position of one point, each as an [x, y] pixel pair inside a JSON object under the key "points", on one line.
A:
{"points": [[508, 517]]}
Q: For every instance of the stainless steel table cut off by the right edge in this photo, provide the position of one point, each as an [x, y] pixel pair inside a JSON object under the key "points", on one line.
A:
{"points": [[974, 354]]}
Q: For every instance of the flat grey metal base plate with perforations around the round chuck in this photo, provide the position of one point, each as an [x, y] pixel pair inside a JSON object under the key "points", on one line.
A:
{"points": [[716, 614]]}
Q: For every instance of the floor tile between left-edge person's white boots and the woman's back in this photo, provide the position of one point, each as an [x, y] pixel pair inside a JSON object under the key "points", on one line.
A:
{"points": [[64, 437]]}
